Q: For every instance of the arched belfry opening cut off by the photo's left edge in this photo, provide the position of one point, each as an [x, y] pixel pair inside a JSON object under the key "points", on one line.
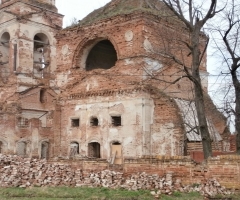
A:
{"points": [[4, 49]]}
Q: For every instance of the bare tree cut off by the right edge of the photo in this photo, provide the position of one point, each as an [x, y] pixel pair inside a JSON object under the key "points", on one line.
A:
{"points": [[229, 31]]}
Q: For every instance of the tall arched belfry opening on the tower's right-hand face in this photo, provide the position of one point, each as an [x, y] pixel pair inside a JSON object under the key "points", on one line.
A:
{"points": [[41, 55]]}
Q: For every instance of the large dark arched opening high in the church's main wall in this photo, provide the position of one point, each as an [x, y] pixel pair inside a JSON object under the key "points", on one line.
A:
{"points": [[102, 56]]}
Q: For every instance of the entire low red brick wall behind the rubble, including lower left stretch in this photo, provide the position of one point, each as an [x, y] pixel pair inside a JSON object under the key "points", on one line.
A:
{"points": [[224, 168]]}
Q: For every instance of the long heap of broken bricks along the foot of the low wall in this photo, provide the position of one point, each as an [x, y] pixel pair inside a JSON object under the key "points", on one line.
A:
{"points": [[24, 172]]}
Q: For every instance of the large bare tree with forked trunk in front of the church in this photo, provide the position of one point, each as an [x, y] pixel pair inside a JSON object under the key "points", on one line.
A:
{"points": [[194, 16]]}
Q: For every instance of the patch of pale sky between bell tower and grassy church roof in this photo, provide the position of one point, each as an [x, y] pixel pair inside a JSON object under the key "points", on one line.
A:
{"points": [[77, 8]]}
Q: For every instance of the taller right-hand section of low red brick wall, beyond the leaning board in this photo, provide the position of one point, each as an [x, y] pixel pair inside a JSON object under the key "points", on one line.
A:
{"points": [[224, 168]]}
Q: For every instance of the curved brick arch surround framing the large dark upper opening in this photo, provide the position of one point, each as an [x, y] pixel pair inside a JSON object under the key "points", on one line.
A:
{"points": [[85, 46]]}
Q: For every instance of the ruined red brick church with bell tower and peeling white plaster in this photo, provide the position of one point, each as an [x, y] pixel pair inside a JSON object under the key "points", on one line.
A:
{"points": [[100, 88]]}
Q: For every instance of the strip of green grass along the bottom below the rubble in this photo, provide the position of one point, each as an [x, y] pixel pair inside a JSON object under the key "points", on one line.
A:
{"points": [[67, 193]]}
